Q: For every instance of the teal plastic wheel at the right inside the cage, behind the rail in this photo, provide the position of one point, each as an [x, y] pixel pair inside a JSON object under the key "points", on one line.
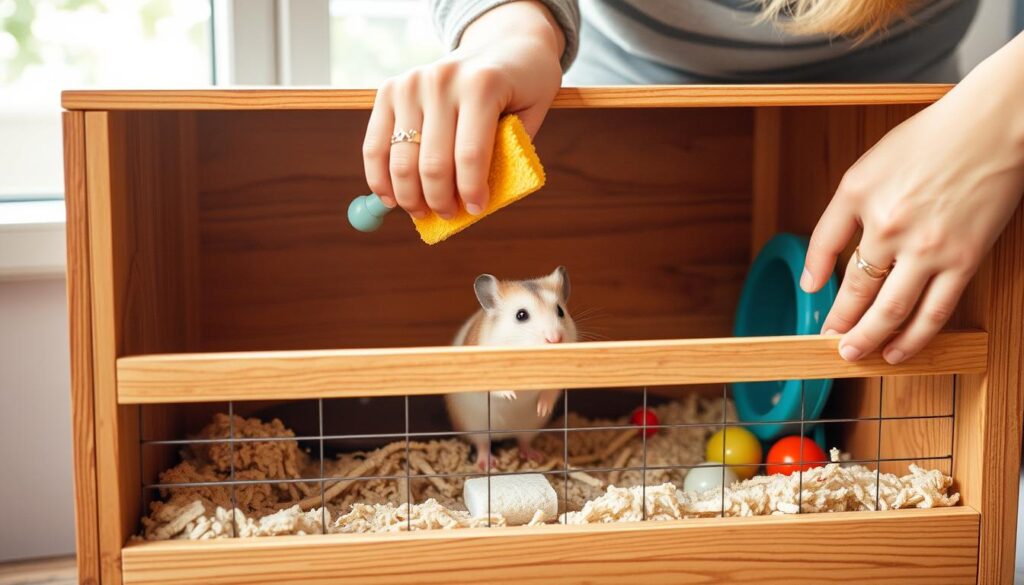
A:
{"points": [[773, 304]]}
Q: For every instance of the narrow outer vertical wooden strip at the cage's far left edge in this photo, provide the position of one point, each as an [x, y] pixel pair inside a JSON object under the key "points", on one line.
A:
{"points": [[80, 336]]}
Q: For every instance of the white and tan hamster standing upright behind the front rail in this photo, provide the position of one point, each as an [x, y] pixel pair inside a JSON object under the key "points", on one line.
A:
{"points": [[514, 313]]}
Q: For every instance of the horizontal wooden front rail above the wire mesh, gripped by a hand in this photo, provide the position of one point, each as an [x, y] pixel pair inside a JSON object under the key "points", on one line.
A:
{"points": [[351, 373]]}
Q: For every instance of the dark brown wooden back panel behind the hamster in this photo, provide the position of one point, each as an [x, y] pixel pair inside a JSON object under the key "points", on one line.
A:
{"points": [[650, 211]]}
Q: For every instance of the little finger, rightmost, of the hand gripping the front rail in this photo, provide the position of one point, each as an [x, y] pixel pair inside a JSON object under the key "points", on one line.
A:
{"points": [[935, 310]]}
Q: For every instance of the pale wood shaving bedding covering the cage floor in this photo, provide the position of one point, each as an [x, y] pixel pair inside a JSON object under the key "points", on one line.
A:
{"points": [[356, 506]]}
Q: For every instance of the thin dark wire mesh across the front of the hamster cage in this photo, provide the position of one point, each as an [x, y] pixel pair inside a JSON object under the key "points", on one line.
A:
{"points": [[405, 476]]}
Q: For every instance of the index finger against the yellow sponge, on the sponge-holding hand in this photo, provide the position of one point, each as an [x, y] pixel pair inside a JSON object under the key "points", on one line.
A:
{"points": [[475, 144]]}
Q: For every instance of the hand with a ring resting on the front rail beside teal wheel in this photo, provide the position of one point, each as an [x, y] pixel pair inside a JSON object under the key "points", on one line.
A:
{"points": [[931, 197]]}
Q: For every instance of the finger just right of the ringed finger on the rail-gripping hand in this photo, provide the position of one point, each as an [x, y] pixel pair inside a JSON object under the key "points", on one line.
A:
{"points": [[892, 307]]}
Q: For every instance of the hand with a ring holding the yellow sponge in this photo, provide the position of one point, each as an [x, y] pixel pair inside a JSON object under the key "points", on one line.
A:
{"points": [[507, 62]]}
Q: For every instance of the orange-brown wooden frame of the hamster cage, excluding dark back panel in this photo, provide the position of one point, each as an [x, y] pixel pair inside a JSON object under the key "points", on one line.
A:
{"points": [[137, 323]]}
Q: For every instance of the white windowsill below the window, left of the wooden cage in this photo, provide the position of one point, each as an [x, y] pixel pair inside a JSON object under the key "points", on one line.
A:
{"points": [[32, 240]]}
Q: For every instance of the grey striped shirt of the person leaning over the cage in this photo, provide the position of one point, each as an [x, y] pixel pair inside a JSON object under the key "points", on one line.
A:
{"points": [[611, 43]]}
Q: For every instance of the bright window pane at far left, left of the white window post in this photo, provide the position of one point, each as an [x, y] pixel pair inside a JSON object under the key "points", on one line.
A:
{"points": [[51, 46]]}
